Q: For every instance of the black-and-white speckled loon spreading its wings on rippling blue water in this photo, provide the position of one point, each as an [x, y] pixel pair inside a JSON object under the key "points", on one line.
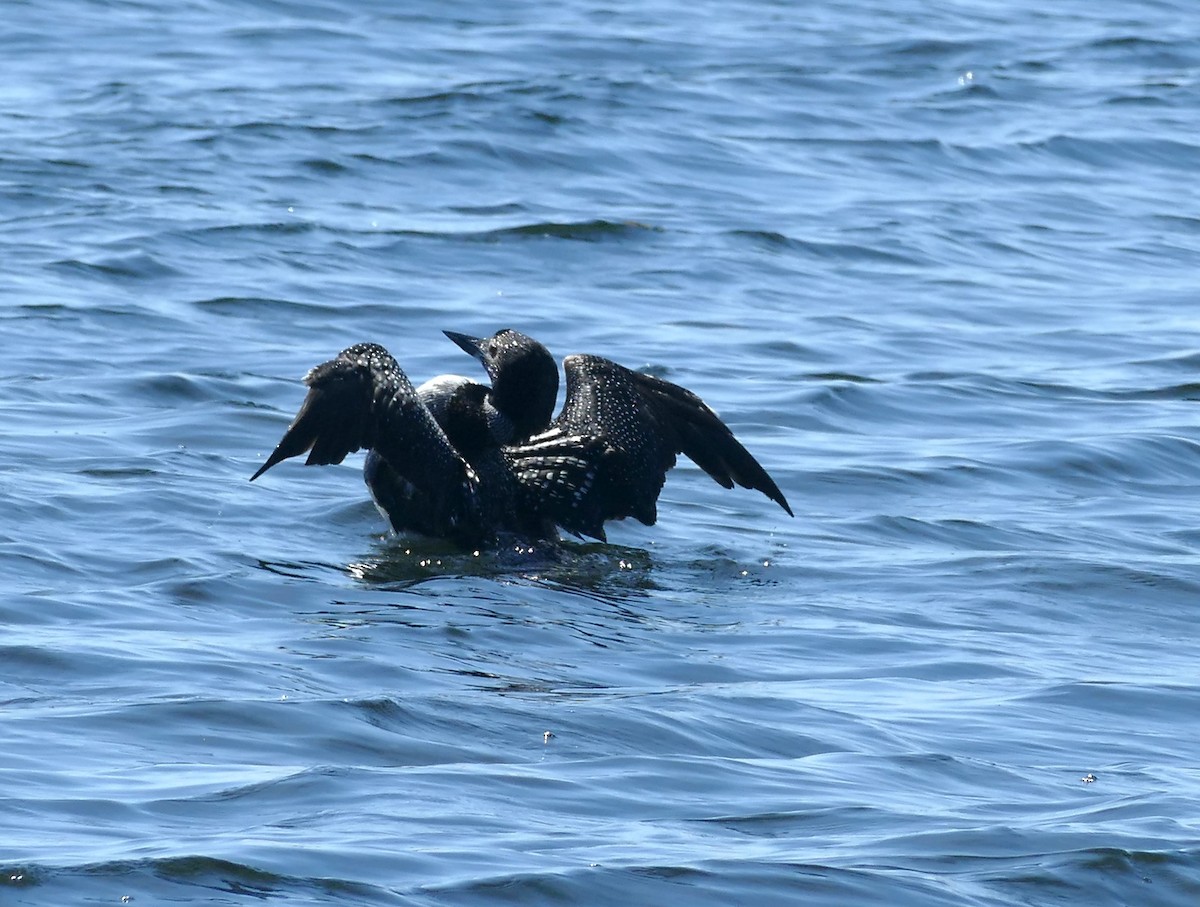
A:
{"points": [[469, 462]]}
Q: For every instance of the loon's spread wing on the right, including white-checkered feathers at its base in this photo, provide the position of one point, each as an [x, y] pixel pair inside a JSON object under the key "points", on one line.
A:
{"points": [[609, 453]]}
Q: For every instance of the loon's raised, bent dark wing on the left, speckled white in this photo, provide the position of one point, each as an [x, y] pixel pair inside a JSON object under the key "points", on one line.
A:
{"points": [[363, 400]]}
